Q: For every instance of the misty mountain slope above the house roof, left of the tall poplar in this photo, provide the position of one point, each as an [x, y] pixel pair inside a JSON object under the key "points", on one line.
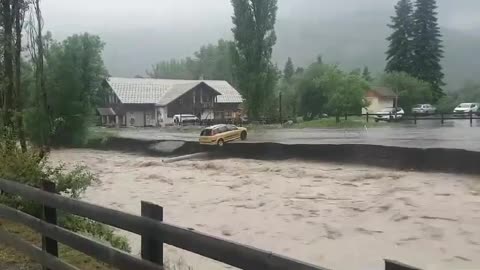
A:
{"points": [[132, 52]]}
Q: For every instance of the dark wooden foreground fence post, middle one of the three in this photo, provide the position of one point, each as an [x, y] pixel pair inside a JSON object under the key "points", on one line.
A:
{"points": [[152, 250]]}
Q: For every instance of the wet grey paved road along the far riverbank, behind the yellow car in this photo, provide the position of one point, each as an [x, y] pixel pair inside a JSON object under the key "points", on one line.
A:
{"points": [[427, 134]]}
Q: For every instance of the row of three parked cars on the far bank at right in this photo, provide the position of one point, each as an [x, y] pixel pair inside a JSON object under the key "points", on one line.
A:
{"points": [[392, 113]]}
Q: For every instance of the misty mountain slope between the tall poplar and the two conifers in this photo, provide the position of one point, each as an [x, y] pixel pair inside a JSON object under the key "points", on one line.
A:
{"points": [[352, 43]]}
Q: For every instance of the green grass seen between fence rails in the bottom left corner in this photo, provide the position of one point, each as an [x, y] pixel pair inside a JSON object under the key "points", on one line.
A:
{"points": [[16, 260]]}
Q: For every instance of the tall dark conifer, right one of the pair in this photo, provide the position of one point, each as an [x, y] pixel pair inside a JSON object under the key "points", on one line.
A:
{"points": [[427, 46]]}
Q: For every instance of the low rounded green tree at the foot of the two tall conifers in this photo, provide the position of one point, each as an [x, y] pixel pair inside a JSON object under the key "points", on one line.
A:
{"points": [[408, 89]]}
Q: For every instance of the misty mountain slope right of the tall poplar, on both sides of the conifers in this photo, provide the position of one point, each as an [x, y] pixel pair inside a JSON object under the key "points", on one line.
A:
{"points": [[362, 41]]}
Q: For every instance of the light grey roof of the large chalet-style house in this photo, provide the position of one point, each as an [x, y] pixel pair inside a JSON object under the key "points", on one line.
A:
{"points": [[163, 91]]}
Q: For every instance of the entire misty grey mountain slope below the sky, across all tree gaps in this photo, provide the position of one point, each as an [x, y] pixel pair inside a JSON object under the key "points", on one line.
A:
{"points": [[350, 39]]}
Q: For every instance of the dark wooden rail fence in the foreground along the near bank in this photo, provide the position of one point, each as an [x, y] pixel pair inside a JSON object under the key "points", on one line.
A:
{"points": [[150, 226]]}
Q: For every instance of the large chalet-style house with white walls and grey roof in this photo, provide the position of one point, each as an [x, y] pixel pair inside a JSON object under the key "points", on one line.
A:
{"points": [[143, 102]]}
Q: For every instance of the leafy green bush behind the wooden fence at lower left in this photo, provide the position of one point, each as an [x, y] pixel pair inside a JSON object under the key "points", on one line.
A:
{"points": [[30, 169]]}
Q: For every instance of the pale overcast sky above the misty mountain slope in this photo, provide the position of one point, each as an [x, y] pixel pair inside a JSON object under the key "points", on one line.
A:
{"points": [[70, 16]]}
